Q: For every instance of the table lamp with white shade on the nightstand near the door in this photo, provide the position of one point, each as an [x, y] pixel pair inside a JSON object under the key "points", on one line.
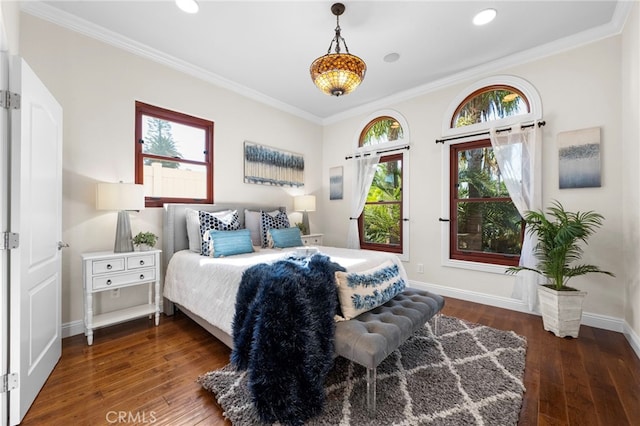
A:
{"points": [[121, 197]]}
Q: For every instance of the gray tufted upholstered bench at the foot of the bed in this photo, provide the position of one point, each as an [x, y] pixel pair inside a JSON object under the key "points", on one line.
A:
{"points": [[372, 336]]}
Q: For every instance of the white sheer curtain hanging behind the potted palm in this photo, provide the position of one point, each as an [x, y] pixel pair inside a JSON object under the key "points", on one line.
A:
{"points": [[518, 154]]}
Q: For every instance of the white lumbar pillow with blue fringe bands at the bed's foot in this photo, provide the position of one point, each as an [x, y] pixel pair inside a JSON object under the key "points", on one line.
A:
{"points": [[359, 292]]}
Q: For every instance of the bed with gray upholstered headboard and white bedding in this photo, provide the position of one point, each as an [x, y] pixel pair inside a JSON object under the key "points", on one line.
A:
{"points": [[204, 288]]}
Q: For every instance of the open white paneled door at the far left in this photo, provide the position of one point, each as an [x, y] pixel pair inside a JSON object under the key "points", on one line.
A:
{"points": [[35, 213]]}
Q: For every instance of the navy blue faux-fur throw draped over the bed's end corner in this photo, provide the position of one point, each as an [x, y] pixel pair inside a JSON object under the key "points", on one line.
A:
{"points": [[283, 334]]}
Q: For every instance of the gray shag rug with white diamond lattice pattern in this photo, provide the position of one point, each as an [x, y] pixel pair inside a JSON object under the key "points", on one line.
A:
{"points": [[469, 374]]}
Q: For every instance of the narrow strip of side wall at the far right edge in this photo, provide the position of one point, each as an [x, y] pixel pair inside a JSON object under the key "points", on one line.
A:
{"points": [[630, 162]]}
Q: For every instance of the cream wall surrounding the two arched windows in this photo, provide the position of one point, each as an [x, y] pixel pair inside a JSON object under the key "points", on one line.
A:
{"points": [[579, 88]]}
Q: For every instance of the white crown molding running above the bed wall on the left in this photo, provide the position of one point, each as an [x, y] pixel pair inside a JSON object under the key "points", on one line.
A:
{"points": [[82, 26]]}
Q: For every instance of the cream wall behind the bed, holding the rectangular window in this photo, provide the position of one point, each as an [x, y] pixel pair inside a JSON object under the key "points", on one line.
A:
{"points": [[97, 86]]}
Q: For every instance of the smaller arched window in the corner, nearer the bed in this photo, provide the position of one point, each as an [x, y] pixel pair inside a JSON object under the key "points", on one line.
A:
{"points": [[381, 224]]}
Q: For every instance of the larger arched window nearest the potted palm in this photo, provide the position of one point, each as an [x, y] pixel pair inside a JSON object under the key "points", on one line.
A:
{"points": [[484, 224]]}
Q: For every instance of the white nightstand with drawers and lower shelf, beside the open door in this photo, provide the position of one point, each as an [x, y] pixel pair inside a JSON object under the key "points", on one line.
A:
{"points": [[103, 271]]}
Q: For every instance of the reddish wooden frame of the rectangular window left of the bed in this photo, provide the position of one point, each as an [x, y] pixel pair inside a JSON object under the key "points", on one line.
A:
{"points": [[177, 117]]}
